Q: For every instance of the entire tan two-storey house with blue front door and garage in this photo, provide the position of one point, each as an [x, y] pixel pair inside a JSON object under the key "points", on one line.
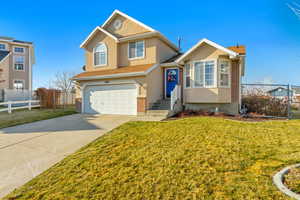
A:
{"points": [[130, 68]]}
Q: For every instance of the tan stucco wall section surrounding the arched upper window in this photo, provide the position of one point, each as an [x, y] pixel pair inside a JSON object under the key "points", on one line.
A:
{"points": [[111, 52]]}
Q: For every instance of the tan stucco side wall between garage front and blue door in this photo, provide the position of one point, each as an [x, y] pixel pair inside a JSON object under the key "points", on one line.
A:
{"points": [[154, 82]]}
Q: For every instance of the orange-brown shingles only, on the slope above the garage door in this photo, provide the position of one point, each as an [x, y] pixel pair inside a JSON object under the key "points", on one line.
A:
{"points": [[121, 70]]}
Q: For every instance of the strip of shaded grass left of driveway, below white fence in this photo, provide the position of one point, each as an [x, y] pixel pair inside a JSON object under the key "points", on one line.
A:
{"points": [[18, 117]]}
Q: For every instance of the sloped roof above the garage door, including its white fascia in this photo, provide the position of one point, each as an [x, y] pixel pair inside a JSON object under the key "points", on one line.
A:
{"points": [[137, 70]]}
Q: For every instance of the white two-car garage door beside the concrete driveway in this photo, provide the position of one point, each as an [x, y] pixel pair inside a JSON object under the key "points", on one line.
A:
{"points": [[111, 99]]}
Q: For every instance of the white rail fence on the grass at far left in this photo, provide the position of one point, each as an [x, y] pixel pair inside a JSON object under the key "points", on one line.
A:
{"points": [[9, 106]]}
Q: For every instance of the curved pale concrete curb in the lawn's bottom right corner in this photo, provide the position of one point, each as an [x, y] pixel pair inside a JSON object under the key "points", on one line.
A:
{"points": [[277, 180]]}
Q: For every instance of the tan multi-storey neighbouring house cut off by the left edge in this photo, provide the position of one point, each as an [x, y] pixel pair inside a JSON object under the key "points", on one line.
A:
{"points": [[16, 60]]}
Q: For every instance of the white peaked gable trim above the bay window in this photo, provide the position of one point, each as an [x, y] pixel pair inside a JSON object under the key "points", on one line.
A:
{"points": [[230, 52]]}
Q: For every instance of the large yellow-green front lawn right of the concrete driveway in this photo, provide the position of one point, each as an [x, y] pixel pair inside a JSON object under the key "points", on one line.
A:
{"points": [[193, 158]]}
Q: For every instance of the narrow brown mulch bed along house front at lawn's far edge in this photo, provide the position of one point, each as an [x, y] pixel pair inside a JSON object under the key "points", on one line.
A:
{"points": [[251, 117]]}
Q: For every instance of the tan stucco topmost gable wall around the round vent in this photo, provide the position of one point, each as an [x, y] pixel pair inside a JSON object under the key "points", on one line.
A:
{"points": [[128, 27]]}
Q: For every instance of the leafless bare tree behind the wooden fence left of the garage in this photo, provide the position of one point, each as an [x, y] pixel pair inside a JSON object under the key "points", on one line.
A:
{"points": [[63, 81]]}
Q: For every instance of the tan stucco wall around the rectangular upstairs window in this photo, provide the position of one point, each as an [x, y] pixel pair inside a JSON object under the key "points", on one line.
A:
{"points": [[150, 53]]}
